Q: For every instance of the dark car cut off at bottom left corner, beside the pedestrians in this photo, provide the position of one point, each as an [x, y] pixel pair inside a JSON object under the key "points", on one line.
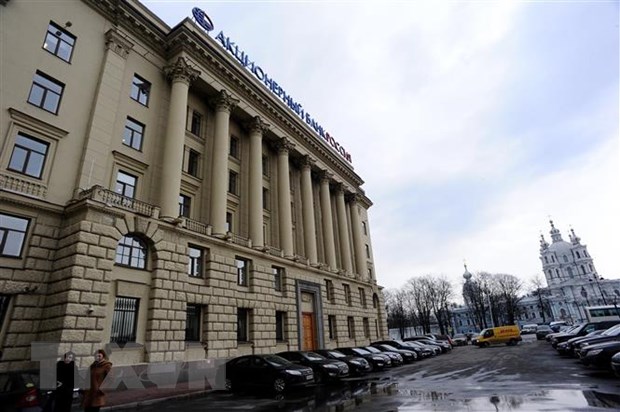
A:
{"points": [[19, 390]]}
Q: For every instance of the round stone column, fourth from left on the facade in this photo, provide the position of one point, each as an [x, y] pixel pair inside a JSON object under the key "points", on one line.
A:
{"points": [[284, 198]]}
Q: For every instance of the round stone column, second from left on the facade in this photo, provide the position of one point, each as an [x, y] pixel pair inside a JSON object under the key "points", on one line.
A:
{"points": [[224, 104]]}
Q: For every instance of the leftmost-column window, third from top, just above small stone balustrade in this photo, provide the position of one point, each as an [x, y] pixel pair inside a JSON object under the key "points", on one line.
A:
{"points": [[28, 156]]}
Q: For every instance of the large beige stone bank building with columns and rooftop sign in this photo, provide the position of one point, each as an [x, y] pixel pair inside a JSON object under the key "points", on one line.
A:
{"points": [[161, 192]]}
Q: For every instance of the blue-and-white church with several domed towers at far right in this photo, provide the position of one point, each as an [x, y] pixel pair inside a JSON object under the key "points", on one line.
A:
{"points": [[563, 261]]}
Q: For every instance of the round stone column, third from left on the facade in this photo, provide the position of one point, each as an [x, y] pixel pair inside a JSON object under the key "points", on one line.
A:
{"points": [[257, 127]]}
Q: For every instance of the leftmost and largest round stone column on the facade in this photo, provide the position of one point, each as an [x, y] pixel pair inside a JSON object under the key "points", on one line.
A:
{"points": [[181, 75]]}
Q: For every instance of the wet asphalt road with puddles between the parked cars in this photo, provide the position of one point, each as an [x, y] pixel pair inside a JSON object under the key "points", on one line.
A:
{"points": [[527, 377]]}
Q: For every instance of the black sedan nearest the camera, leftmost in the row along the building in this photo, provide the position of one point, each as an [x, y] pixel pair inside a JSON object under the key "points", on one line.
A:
{"points": [[266, 370]]}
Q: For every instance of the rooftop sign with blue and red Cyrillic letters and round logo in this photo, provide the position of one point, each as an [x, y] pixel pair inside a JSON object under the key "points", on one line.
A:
{"points": [[242, 57]]}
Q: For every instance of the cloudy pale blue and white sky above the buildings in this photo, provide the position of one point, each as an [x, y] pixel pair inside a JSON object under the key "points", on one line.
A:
{"points": [[471, 123]]}
